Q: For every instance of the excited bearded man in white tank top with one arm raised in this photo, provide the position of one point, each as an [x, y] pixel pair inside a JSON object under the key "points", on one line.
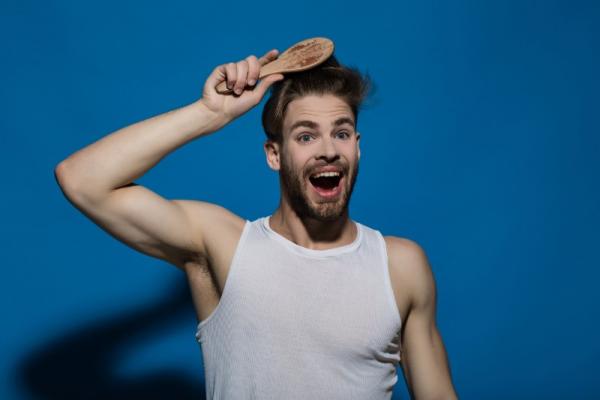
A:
{"points": [[305, 303]]}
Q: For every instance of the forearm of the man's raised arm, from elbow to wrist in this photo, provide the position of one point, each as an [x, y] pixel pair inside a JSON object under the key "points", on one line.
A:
{"points": [[128, 153]]}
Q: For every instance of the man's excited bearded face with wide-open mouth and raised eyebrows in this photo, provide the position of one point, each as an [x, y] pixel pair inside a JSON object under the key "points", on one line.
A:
{"points": [[318, 160]]}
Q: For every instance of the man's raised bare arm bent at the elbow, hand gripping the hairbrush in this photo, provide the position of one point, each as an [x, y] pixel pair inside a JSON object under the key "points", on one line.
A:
{"points": [[99, 179]]}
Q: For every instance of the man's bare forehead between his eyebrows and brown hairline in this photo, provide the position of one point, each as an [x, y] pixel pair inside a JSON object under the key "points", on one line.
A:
{"points": [[322, 109]]}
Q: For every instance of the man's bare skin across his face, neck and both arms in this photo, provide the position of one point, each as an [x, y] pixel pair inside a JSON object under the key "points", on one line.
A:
{"points": [[200, 238]]}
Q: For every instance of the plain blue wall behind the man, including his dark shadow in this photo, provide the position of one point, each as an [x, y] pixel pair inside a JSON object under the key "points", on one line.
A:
{"points": [[480, 143]]}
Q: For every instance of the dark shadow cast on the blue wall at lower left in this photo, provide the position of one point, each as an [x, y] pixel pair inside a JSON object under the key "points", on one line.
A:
{"points": [[80, 365]]}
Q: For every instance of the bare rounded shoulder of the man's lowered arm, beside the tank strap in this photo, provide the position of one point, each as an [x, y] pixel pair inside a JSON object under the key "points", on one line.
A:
{"points": [[409, 267]]}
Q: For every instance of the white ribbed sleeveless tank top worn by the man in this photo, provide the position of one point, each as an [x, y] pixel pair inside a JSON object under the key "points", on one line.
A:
{"points": [[297, 323]]}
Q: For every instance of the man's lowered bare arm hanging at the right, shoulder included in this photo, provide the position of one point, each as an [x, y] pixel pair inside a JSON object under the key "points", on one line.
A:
{"points": [[424, 359]]}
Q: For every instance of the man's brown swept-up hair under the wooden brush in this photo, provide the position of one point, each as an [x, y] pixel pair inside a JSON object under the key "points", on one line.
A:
{"points": [[330, 77]]}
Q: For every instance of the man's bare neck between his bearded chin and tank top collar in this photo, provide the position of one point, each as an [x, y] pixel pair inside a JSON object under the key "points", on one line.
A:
{"points": [[310, 232]]}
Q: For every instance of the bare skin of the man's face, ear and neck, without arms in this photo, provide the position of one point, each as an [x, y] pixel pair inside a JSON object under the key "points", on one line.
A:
{"points": [[305, 149]]}
